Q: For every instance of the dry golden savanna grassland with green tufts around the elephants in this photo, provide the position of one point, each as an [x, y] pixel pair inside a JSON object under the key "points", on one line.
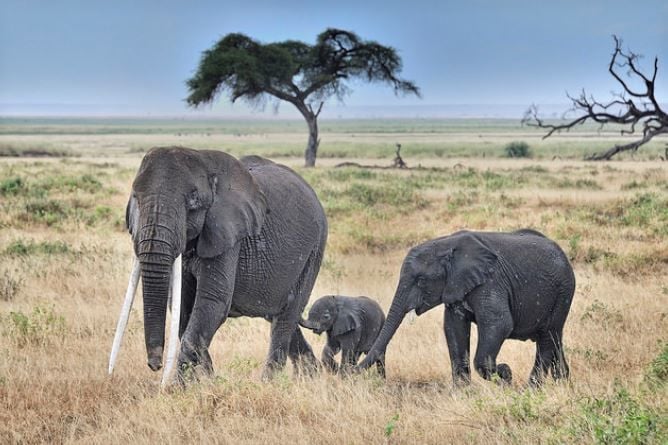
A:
{"points": [[65, 258]]}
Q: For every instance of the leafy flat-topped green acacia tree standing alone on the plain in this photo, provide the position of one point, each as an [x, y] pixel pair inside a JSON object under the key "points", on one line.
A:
{"points": [[295, 72]]}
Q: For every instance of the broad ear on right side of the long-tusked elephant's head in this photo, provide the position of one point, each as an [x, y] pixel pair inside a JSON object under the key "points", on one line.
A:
{"points": [[237, 211]]}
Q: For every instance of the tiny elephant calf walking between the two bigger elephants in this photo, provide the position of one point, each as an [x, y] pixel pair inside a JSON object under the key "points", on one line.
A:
{"points": [[352, 325]]}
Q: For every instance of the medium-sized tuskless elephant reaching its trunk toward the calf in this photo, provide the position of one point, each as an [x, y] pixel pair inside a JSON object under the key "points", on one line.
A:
{"points": [[515, 285]]}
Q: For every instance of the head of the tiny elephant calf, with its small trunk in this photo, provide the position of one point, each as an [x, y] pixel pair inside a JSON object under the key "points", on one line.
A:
{"points": [[328, 314]]}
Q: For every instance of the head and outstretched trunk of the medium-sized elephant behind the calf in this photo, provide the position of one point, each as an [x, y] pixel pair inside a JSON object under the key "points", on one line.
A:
{"points": [[443, 270]]}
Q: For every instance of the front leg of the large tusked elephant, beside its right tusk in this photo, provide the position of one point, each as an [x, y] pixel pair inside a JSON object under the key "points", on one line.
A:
{"points": [[213, 298]]}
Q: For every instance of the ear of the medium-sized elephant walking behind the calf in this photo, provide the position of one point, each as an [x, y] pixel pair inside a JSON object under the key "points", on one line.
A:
{"points": [[468, 263]]}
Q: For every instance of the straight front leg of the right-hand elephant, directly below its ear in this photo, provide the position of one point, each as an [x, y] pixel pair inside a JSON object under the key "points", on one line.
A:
{"points": [[457, 327]]}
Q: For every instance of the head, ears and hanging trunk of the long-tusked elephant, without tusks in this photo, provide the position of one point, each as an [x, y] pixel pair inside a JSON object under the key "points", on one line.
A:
{"points": [[185, 200]]}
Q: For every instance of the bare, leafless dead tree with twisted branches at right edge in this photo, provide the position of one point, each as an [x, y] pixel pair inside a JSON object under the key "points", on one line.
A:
{"points": [[635, 106]]}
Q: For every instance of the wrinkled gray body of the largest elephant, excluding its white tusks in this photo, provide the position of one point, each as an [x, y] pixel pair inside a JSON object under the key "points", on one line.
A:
{"points": [[252, 234]]}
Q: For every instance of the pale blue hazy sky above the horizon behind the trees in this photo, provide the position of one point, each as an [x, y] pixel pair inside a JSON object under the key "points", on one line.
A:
{"points": [[75, 57]]}
